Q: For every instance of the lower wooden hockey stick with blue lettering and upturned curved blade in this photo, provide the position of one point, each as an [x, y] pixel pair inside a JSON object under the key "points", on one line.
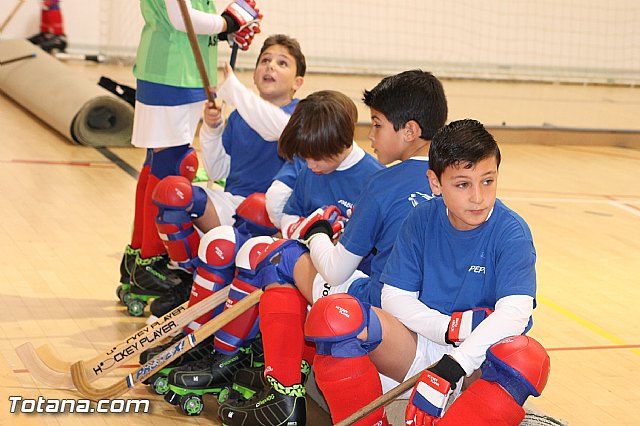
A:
{"points": [[78, 371]]}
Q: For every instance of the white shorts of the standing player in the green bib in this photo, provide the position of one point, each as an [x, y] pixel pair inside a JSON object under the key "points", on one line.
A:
{"points": [[165, 126]]}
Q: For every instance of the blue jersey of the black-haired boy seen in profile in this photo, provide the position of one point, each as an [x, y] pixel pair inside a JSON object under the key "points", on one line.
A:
{"points": [[384, 205]]}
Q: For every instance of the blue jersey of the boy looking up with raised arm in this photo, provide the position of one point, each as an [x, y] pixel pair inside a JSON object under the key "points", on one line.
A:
{"points": [[254, 161]]}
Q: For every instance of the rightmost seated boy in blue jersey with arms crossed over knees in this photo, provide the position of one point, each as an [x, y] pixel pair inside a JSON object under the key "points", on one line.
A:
{"points": [[460, 278]]}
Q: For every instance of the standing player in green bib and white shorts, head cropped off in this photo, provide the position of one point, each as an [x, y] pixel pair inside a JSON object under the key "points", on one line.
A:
{"points": [[169, 96]]}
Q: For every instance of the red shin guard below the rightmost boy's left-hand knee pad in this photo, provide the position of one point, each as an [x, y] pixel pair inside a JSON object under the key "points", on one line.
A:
{"points": [[349, 384]]}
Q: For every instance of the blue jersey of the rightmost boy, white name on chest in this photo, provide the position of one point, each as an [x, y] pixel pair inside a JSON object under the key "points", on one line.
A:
{"points": [[456, 270]]}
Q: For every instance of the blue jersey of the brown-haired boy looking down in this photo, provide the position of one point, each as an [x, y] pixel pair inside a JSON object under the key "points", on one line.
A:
{"points": [[341, 188]]}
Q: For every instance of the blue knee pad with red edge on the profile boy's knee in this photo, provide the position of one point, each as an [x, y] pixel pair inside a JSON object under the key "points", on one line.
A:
{"points": [[277, 262]]}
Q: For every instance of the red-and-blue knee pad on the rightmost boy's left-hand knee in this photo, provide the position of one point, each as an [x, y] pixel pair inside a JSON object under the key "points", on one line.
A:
{"points": [[336, 320]]}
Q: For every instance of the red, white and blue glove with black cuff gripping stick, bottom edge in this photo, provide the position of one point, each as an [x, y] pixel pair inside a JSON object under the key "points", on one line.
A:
{"points": [[432, 392]]}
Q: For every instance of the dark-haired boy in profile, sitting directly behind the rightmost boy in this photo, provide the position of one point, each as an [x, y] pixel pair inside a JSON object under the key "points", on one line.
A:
{"points": [[406, 111]]}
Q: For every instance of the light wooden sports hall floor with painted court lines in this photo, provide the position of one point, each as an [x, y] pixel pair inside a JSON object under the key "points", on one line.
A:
{"points": [[66, 212]]}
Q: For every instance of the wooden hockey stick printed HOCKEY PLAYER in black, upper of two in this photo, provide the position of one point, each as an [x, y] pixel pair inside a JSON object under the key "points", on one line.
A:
{"points": [[48, 369]]}
